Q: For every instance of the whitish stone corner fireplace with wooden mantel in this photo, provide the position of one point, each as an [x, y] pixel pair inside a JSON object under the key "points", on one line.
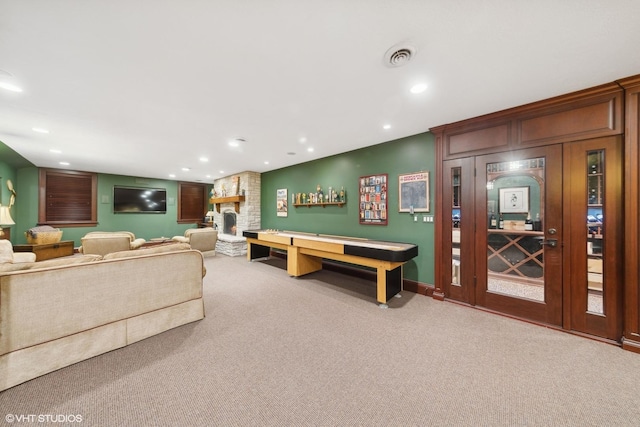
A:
{"points": [[232, 221]]}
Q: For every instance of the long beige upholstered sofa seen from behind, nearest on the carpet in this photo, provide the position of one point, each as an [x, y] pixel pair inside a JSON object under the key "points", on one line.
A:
{"points": [[58, 312]]}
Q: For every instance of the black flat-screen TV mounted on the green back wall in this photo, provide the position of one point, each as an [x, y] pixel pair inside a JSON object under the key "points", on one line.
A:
{"points": [[139, 200]]}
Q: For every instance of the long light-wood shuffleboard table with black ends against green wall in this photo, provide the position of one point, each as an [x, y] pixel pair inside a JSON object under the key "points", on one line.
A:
{"points": [[305, 252]]}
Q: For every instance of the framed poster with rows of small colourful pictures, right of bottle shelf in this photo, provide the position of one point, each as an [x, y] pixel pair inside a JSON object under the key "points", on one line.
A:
{"points": [[373, 199]]}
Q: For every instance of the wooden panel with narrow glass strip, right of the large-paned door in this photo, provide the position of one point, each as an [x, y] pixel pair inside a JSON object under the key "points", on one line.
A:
{"points": [[593, 248]]}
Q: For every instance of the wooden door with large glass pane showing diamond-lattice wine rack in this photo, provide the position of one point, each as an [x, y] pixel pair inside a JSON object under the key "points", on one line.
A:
{"points": [[519, 233]]}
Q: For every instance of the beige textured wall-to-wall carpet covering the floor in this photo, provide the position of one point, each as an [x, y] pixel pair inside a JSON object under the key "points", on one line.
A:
{"points": [[317, 351]]}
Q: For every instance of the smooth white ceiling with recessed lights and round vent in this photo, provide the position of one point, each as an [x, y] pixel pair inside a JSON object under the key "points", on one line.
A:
{"points": [[147, 87]]}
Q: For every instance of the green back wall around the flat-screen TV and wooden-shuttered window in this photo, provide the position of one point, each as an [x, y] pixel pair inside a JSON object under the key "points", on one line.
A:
{"points": [[146, 226]]}
